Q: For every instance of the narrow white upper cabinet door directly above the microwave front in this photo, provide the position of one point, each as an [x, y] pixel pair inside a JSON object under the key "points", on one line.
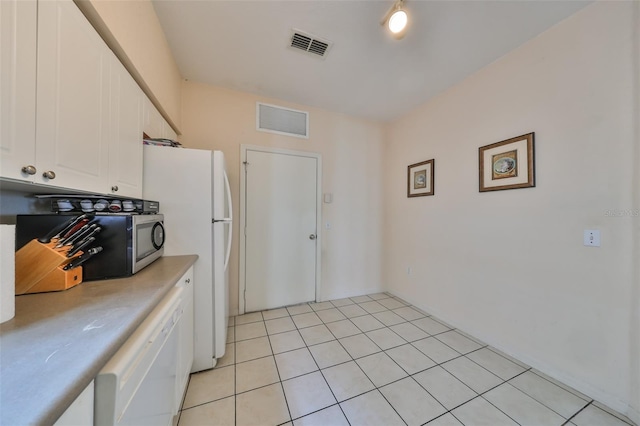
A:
{"points": [[125, 146]]}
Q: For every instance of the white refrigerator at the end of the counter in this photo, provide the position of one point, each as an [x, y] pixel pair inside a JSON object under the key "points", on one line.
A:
{"points": [[194, 194]]}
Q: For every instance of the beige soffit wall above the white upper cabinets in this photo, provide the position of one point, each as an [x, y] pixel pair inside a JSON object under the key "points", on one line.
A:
{"points": [[132, 30]]}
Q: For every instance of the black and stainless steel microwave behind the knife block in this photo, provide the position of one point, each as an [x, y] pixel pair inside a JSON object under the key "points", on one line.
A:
{"points": [[129, 242]]}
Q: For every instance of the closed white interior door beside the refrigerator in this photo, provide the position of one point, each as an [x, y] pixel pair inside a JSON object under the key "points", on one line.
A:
{"points": [[281, 216]]}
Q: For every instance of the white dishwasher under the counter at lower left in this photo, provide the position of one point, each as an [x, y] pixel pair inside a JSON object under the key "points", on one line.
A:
{"points": [[138, 385]]}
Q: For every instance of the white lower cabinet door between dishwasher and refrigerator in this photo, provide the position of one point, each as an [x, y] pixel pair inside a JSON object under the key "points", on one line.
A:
{"points": [[185, 348]]}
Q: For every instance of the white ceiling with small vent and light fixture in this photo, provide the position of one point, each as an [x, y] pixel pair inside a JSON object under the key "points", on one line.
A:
{"points": [[243, 45]]}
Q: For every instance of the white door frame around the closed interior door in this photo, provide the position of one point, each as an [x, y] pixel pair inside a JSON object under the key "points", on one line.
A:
{"points": [[242, 225]]}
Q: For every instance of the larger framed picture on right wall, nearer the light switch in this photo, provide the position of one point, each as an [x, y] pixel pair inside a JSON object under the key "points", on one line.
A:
{"points": [[508, 164]]}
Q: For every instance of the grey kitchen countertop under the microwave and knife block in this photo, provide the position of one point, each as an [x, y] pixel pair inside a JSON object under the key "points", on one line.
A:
{"points": [[78, 331]]}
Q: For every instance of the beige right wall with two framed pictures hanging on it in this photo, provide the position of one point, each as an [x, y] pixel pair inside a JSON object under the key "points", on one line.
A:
{"points": [[510, 266]]}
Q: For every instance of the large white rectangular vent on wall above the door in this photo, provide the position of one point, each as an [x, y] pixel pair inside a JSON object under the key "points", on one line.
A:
{"points": [[284, 121]]}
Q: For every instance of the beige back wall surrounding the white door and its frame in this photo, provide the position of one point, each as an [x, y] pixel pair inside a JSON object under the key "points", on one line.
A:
{"points": [[351, 149]]}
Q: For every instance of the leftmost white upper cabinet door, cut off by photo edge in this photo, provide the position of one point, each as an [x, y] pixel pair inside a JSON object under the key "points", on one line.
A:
{"points": [[18, 20]]}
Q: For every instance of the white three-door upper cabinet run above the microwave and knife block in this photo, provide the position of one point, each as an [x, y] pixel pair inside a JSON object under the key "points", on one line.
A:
{"points": [[71, 115]]}
